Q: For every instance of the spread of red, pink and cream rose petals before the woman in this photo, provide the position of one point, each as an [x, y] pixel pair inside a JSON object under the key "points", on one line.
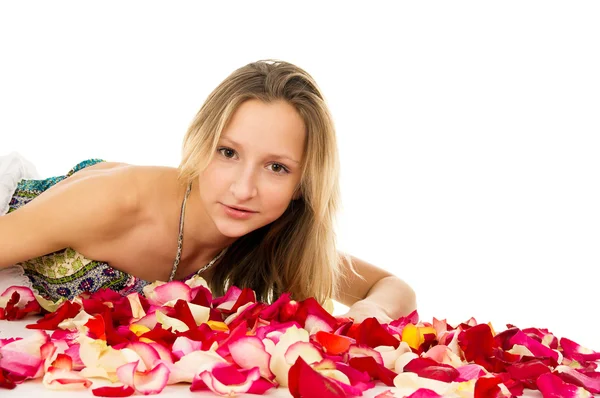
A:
{"points": [[178, 333]]}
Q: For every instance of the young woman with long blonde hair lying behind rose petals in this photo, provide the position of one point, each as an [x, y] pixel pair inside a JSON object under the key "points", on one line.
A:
{"points": [[252, 204]]}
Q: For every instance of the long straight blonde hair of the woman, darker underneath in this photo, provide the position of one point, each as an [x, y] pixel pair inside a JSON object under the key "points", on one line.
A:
{"points": [[297, 252]]}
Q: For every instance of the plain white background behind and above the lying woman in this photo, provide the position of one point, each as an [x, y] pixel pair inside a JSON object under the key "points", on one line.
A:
{"points": [[468, 131]]}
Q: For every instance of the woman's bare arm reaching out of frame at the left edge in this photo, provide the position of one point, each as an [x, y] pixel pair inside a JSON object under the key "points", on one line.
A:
{"points": [[71, 213]]}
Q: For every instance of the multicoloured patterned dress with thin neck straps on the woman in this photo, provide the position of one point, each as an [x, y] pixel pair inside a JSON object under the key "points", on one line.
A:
{"points": [[67, 273]]}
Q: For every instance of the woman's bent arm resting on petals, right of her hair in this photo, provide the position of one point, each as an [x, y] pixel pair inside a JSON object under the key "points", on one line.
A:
{"points": [[378, 293]]}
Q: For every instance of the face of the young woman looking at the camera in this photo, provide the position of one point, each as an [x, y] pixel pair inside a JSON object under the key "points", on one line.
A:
{"points": [[256, 167]]}
